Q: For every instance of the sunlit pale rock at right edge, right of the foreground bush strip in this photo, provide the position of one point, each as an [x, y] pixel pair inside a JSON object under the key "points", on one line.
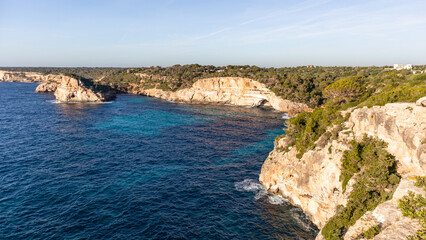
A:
{"points": [[402, 126]]}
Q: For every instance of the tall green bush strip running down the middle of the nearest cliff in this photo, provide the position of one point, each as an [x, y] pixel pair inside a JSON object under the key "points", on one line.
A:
{"points": [[376, 178]]}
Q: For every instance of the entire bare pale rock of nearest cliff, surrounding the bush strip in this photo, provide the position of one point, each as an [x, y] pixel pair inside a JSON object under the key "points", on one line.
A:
{"points": [[312, 182]]}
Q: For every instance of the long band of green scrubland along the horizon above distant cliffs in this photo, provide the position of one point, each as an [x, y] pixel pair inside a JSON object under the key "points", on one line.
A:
{"points": [[311, 85]]}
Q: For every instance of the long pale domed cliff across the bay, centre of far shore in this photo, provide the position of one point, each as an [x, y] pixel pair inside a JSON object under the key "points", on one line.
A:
{"points": [[229, 90]]}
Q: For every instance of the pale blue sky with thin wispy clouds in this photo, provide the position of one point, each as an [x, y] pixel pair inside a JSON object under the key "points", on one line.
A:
{"points": [[268, 33]]}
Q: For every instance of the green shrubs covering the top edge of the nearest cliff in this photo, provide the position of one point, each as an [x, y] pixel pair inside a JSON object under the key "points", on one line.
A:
{"points": [[354, 91]]}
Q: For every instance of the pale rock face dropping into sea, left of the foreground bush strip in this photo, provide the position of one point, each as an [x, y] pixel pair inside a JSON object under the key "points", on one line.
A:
{"points": [[311, 182]]}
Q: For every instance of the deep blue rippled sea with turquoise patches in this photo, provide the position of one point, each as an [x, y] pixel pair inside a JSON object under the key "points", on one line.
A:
{"points": [[137, 168]]}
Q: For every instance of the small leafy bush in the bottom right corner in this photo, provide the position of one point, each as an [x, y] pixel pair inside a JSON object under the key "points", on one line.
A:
{"points": [[414, 206]]}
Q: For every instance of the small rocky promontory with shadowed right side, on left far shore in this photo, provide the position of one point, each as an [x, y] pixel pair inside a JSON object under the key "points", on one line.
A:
{"points": [[73, 90]]}
